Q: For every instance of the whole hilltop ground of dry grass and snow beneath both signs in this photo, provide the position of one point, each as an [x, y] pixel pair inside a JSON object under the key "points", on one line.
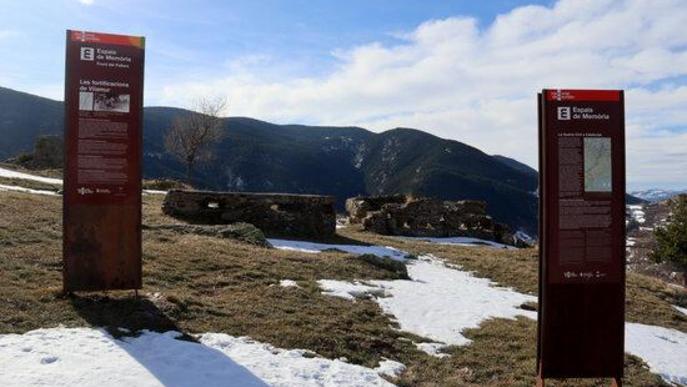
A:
{"points": [[464, 317]]}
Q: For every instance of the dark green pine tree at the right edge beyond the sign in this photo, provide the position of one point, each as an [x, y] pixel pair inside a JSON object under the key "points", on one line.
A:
{"points": [[671, 239]]}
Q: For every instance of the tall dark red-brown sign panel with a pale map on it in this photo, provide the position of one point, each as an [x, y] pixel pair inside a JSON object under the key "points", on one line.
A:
{"points": [[582, 231]]}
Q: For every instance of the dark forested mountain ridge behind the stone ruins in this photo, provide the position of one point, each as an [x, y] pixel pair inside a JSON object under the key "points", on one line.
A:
{"points": [[343, 161]]}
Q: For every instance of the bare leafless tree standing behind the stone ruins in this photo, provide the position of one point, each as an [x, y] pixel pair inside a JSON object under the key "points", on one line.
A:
{"points": [[191, 136]]}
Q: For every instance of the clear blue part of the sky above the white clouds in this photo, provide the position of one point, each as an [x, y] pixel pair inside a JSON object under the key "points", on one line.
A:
{"points": [[198, 37]]}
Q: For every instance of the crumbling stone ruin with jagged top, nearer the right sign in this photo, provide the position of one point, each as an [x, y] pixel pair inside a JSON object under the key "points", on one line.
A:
{"points": [[425, 217]]}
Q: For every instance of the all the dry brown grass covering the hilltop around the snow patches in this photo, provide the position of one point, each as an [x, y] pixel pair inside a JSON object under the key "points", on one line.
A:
{"points": [[198, 284]]}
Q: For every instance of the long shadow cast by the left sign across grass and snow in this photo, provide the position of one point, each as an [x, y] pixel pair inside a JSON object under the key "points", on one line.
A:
{"points": [[174, 358]]}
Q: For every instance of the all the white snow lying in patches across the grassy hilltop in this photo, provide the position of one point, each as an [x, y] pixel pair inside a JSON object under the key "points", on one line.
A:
{"points": [[438, 303]]}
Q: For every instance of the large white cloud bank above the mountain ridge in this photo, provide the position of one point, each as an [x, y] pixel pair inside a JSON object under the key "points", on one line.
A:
{"points": [[453, 79]]}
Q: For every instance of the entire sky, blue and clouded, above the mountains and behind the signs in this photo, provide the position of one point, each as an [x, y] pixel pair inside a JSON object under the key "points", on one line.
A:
{"points": [[465, 70]]}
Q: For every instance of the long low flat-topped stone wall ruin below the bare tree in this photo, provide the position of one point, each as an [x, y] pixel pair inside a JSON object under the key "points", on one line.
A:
{"points": [[286, 215]]}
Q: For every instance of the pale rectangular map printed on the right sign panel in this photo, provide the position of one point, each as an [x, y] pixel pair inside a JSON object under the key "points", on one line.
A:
{"points": [[597, 164]]}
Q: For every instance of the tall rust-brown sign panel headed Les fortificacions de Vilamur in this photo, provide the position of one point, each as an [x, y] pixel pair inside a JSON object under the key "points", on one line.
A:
{"points": [[102, 178]]}
